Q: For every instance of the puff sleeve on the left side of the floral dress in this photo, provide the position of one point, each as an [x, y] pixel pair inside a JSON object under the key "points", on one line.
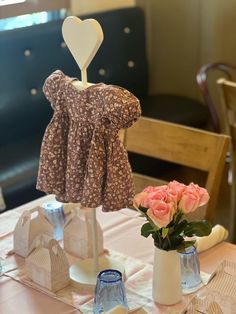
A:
{"points": [[52, 88]]}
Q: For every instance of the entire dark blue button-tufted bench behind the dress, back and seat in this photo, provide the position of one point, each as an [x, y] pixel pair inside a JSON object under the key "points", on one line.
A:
{"points": [[30, 54]]}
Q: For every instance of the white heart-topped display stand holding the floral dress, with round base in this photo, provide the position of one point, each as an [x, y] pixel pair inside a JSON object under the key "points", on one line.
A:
{"points": [[83, 38]]}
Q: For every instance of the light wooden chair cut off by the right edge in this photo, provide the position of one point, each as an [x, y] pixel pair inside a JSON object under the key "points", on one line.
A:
{"points": [[228, 101]]}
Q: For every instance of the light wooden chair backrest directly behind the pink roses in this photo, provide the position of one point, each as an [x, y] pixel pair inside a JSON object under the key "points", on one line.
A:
{"points": [[182, 145]]}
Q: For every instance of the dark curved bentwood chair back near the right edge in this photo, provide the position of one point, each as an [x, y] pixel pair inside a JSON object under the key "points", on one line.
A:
{"points": [[207, 75]]}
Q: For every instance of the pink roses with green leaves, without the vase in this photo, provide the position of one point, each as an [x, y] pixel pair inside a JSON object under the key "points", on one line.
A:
{"points": [[165, 207]]}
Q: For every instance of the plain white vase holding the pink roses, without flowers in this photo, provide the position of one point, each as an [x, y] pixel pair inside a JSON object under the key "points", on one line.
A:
{"points": [[166, 287]]}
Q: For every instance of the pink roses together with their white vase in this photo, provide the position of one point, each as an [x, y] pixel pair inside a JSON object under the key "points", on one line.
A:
{"points": [[164, 208]]}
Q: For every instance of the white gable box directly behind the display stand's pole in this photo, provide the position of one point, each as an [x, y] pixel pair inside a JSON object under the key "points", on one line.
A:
{"points": [[78, 234]]}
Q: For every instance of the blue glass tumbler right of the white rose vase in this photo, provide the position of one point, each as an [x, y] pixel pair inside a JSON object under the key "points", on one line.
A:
{"points": [[190, 269]]}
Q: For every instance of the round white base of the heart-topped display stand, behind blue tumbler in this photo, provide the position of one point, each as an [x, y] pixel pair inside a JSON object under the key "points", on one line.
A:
{"points": [[82, 274]]}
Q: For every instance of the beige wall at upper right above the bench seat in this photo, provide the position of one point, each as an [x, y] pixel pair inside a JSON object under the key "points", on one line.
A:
{"points": [[182, 35]]}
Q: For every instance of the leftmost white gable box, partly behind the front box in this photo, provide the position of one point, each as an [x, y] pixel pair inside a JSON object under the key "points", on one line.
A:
{"points": [[30, 225]]}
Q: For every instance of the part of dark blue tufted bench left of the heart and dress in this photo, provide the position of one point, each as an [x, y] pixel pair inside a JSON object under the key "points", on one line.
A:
{"points": [[28, 56]]}
